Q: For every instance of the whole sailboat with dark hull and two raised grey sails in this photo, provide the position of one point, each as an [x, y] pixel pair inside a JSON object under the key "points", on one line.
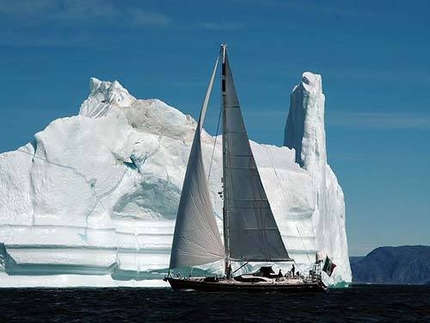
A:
{"points": [[249, 227]]}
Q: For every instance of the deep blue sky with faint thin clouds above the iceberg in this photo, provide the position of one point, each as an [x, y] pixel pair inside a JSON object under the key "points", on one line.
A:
{"points": [[373, 55]]}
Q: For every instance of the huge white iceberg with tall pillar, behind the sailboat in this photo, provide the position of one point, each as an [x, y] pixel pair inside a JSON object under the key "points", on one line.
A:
{"points": [[97, 194]]}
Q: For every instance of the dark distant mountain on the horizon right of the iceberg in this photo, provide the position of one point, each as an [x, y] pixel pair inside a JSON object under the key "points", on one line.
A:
{"points": [[393, 265]]}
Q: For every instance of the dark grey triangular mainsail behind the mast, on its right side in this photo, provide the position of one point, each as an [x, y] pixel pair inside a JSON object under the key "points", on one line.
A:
{"points": [[250, 231]]}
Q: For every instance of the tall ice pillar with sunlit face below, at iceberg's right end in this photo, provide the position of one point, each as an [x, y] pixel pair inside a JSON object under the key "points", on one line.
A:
{"points": [[305, 133]]}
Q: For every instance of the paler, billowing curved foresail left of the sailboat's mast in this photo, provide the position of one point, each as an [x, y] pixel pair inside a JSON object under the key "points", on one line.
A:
{"points": [[196, 239]]}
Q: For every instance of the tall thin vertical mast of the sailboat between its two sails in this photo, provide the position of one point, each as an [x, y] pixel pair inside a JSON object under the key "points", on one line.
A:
{"points": [[224, 157]]}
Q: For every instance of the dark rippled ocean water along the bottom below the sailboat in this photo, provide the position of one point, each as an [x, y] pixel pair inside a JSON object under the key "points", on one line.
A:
{"points": [[356, 304]]}
